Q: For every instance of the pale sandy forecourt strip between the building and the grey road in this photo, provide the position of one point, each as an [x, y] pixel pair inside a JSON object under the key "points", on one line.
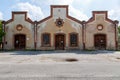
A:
{"points": [[31, 57]]}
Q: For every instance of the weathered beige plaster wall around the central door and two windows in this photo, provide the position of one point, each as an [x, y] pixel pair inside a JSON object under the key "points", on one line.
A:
{"points": [[69, 26]]}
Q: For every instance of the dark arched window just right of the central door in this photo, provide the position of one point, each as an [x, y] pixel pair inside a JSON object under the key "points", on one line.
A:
{"points": [[73, 39]]}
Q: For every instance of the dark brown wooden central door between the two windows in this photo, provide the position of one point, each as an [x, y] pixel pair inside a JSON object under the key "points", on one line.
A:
{"points": [[59, 41]]}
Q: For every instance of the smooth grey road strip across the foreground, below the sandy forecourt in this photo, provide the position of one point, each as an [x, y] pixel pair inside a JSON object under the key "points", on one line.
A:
{"points": [[61, 71]]}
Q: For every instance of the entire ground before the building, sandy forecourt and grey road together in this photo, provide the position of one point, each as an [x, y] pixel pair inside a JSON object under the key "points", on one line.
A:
{"points": [[52, 65]]}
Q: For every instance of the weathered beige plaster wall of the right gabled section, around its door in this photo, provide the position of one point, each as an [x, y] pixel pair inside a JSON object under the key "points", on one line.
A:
{"points": [[108, 29]]}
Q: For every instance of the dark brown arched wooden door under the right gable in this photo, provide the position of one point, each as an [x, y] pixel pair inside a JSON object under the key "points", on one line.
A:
{"points": [[100, 41]]}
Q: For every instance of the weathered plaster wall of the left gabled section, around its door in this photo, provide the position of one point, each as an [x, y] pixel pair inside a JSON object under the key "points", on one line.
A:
{"points": [[28, 30]]}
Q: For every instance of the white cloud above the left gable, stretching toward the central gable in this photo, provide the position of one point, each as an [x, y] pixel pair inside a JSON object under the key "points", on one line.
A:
{"points": [[34, 12]]}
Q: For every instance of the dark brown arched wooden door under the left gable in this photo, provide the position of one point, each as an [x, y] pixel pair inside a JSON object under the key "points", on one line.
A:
{"points": [[19, 41]]}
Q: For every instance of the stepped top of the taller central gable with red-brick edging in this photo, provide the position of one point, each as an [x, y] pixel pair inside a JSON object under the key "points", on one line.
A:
{"points": [[59, 11]]}
